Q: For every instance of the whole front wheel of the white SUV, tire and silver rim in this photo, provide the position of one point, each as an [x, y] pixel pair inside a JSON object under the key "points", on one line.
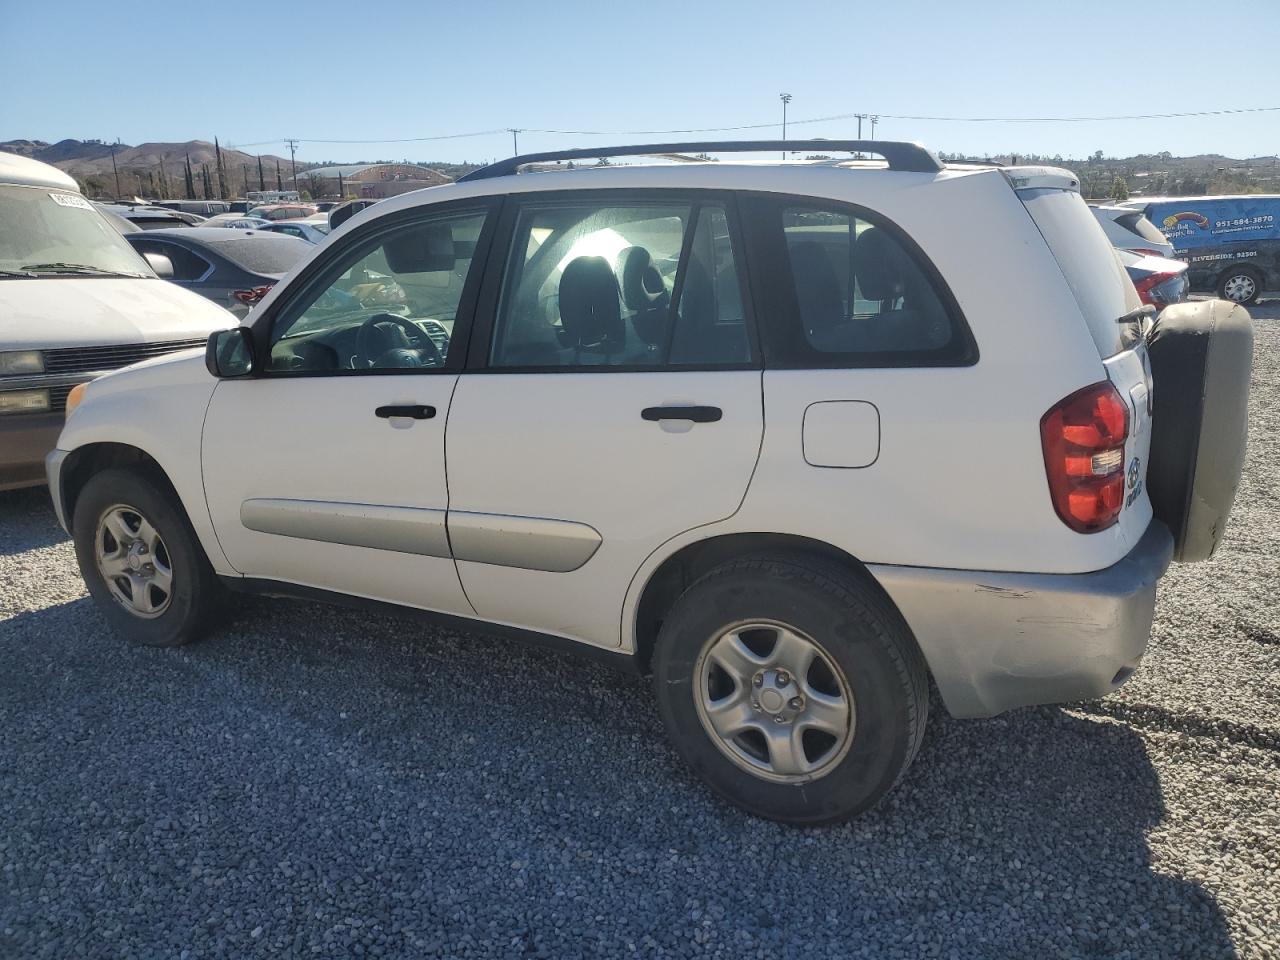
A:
{"points": [[141, 561]]}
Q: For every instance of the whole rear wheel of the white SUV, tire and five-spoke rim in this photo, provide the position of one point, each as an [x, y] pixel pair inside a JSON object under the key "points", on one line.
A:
{"points": [[792, 688]]}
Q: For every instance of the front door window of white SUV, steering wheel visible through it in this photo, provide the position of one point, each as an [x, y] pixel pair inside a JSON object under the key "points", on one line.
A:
{"points": [[392, 303]]}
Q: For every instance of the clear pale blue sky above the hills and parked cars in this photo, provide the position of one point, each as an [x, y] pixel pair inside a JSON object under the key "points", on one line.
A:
{"points": [[254, 74]]}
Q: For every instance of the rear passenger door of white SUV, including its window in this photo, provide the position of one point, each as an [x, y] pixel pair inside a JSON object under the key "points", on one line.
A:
{"points": [[614, 404]]}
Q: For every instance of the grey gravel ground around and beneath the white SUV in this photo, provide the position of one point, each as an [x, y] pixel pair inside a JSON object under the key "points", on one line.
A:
{"points": [[317, 783]]}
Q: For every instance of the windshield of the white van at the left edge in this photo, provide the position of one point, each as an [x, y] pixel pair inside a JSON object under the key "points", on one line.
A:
{"points": [[49, 232]]}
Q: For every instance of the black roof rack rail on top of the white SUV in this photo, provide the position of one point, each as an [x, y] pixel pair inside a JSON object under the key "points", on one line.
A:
{"points": [[902, 156]]}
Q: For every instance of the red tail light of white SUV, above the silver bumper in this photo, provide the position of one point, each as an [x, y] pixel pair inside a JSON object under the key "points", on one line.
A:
{"points": [[1084, 440]]}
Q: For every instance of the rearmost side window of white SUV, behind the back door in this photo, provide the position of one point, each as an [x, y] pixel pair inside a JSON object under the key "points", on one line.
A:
{"points": [[856, 291]]}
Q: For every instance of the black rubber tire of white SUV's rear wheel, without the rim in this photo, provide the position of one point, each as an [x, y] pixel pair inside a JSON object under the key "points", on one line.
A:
{"points": [[856, 627]]}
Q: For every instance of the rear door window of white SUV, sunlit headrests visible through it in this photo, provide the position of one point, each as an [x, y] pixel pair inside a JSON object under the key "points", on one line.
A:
{"points": [[621, 285]]}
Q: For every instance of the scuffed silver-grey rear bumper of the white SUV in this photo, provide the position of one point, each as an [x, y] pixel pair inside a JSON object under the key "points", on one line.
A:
{"points": [[995, 642]]}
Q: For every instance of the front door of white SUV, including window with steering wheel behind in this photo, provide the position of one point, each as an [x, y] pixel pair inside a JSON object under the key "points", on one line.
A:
{"points": [[328, 470]]}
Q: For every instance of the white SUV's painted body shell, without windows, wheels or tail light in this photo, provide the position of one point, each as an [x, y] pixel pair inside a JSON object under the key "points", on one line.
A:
{"points": [[935, 470]]}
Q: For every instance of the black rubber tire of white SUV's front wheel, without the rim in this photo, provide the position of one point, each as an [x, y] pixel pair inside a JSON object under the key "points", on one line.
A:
{"points": [[198, 600]]}
